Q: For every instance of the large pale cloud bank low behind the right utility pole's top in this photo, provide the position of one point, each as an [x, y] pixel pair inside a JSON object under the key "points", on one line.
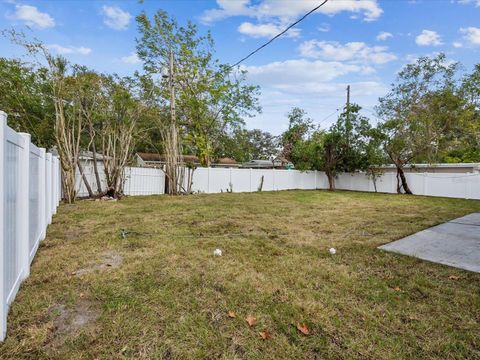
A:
{"points": [[315, 85]]}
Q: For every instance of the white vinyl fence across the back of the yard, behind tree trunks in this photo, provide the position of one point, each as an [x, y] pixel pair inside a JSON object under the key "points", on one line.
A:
{"points": [[148, 181]]}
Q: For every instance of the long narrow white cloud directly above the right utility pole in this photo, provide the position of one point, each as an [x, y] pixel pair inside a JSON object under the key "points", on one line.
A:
{"points": [[352, 51]]}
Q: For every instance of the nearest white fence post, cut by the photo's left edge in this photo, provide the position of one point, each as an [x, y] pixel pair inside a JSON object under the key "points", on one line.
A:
{"points": [[3, 295]]}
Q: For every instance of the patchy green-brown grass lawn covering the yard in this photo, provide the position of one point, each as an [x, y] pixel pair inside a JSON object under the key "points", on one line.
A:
{"points": [[158, 292]]}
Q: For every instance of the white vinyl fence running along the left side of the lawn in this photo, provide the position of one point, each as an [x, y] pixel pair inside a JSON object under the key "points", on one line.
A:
{"points": [[30, 192]]}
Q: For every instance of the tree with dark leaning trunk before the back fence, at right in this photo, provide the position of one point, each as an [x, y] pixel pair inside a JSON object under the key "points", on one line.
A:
{"points": [[419, 112]]}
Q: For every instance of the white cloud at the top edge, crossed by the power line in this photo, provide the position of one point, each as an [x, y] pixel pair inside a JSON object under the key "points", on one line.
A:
{"points": [[288, 10]]}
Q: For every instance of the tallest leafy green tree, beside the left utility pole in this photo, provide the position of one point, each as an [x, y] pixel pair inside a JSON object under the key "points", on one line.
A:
{"points": [[210, 97]]}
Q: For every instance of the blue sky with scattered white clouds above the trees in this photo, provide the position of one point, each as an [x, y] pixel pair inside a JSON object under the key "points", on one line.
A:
{"points": [[358, 42]]}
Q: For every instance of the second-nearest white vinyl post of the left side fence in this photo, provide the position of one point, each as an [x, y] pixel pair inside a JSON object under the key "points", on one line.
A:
{"points": [[23, 198]]}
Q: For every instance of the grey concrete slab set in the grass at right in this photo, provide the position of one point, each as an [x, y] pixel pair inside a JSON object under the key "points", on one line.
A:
{"points": [[455, 243]]}
